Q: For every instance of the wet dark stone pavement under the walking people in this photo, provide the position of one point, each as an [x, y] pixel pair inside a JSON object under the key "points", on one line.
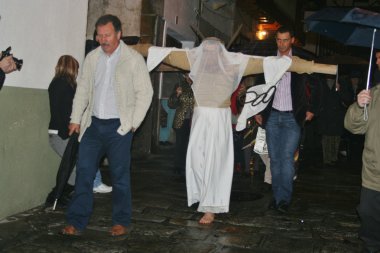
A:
{"points": [[322, 217]]}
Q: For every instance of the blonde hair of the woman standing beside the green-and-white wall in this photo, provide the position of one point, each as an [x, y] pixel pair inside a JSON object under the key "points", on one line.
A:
{"points": [[67, 67]]}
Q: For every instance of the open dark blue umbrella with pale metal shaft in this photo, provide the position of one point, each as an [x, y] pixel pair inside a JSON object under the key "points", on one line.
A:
{"points": [[356, 27]]}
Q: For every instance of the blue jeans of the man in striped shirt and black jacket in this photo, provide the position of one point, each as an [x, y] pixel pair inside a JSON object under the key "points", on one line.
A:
{"points": [[283, 135]]}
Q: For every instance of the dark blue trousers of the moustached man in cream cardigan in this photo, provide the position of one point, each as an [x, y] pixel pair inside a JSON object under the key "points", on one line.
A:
{"points": [[99, 139]]}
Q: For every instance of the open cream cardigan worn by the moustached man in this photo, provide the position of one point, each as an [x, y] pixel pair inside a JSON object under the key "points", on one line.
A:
{"points": [[132, 86]]}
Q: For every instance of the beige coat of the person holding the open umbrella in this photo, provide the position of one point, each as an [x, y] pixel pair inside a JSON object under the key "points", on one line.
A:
{"points": [[355, 123]]}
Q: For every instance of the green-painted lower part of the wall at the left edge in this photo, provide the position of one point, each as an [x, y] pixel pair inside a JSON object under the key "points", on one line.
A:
{"points": [[27, 163]]}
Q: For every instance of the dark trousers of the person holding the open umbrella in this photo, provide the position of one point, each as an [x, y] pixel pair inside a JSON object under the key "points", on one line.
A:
{"points": [[369, 212]]}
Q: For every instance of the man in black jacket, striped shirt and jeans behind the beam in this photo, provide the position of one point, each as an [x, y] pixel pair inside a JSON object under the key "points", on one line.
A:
{"points": [[292, 104]]}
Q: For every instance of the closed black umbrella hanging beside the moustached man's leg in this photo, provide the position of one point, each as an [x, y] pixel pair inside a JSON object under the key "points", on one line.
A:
{"points": [[66, 166]]}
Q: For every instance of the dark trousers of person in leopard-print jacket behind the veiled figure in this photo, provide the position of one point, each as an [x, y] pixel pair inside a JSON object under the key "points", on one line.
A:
{"points": [[182, 140]]}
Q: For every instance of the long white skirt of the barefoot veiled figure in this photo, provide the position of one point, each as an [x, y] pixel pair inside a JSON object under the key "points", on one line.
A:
{"points": [[210, 158]]}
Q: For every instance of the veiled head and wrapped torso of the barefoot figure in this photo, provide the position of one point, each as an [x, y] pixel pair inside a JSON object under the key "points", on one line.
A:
{"points": [[215, 72]]}
